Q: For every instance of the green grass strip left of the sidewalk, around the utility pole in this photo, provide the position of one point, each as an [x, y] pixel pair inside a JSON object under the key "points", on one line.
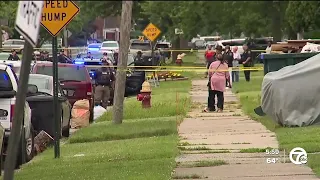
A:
{"points": [[144, 146]]}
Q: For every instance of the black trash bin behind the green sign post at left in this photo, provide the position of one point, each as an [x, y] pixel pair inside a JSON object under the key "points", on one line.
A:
{"points": [[42, 113]]}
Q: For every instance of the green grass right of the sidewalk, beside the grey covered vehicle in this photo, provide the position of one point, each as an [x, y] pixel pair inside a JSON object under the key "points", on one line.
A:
{"points": [[289, 138]]}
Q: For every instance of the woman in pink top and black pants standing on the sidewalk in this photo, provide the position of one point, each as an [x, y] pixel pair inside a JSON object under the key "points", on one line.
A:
{"points": [[218, 73]]}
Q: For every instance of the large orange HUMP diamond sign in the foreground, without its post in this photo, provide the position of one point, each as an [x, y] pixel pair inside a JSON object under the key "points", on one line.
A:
{"points": [[57, 14]]}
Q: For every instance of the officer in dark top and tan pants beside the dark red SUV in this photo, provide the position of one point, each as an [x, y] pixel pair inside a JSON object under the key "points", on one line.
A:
{"points": [[105, 79]]}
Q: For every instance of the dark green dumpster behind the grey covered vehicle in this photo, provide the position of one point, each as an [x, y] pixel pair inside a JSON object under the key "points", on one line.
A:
{"points": [[274, 62]]}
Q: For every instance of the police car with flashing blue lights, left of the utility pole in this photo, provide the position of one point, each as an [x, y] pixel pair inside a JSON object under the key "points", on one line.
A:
{"points": [[94, 58]]}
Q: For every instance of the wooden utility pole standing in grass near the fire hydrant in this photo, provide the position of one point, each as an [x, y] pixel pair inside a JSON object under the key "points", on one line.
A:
{"points": [[125, 28]]}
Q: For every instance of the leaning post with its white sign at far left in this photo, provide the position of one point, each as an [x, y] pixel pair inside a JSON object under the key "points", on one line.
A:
{"points": [[27, 24]]}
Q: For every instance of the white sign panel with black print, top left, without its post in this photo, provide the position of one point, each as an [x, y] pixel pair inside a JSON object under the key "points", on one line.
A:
{"points": [[27, 20]]}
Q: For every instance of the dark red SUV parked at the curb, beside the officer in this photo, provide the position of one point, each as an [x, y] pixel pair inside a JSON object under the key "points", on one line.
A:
{"points": [[74, 80]]}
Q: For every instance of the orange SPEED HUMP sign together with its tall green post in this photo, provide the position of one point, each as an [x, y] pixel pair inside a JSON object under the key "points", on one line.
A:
{"points": [[55, 16]]}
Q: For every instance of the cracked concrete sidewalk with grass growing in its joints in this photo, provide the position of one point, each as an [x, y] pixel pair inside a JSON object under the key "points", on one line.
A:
{"points": [[209, 137]]}
